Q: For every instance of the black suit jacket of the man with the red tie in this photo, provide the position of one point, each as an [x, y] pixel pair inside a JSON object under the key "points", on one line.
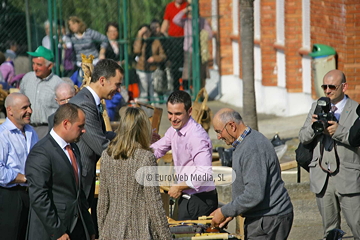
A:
{"points": [[56, 201]]}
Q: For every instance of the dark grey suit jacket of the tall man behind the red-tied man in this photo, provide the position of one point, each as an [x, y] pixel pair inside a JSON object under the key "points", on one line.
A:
{"points": [[94, 140]]}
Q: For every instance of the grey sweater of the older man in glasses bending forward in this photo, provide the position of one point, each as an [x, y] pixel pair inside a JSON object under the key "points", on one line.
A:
{"points": [[258, 189]]}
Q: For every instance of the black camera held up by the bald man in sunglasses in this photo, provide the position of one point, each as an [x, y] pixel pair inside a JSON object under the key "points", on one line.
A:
{"points": [[324, 115]]}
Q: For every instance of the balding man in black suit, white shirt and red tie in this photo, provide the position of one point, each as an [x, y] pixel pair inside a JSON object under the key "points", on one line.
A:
{"points": [[59, 209]]}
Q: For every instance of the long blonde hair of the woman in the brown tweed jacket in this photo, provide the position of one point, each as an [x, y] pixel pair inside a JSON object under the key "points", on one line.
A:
{"points": [[134, 132]]}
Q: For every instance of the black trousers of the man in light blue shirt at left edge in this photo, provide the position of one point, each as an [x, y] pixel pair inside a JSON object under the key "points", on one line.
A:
{"points": [[14, 210]]}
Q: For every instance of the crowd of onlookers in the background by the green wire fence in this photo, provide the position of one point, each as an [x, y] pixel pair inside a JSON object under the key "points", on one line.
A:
{"points": [[161, 53]]}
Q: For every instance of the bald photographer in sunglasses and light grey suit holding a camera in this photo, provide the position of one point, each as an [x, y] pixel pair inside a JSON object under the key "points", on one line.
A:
{"points": [[335, 165]]}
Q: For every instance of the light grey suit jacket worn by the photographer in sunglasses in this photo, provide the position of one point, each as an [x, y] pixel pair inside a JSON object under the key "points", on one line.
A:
{"points": [[348, 175]]}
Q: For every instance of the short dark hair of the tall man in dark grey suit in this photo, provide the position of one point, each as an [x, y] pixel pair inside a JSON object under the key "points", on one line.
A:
{"points": [[106, 68]]}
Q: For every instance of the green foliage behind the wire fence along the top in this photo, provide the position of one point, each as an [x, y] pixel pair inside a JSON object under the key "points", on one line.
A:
{"points": [[96, 13]]}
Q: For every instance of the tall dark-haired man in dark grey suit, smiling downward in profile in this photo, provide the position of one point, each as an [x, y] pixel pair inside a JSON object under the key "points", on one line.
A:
{"points": [[105, 82]]}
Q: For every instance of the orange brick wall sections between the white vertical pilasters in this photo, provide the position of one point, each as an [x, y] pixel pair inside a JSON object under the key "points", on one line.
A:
{"points": [[335, 23]]}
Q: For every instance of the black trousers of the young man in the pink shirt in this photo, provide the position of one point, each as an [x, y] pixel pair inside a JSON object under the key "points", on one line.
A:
{"points": [[200, 204]]}
